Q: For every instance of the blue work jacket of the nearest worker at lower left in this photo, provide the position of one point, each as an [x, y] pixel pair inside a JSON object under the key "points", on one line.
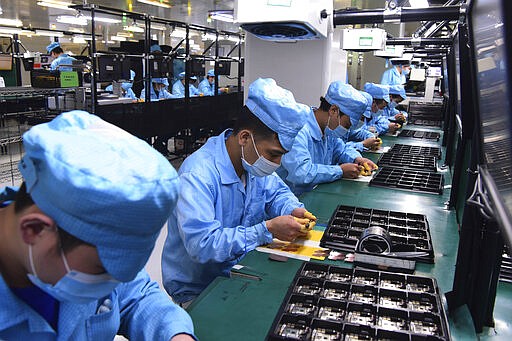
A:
{"points": [[137, 309]]}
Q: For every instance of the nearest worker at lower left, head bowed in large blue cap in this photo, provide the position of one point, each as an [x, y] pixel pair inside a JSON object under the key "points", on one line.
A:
{"points": [[75, 236]]}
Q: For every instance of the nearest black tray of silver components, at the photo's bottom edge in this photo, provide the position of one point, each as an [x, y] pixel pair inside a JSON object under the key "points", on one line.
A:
{"points": [[394, 307]]}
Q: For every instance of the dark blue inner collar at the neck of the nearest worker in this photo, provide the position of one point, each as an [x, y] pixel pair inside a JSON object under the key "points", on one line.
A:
{"points": [[18, 311]]}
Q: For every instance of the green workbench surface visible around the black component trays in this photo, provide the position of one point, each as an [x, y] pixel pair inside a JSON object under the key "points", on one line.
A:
{"points": [[239, 308]]}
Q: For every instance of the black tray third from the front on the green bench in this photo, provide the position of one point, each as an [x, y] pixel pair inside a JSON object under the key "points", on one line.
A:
{"points": [[410, 180]]}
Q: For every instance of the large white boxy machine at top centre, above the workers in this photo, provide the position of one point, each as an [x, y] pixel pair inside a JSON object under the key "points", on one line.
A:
{"points": [[292, 42]]}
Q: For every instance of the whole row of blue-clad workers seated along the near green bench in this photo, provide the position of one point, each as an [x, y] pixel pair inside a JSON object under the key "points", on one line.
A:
{"points": [[75, 236]]}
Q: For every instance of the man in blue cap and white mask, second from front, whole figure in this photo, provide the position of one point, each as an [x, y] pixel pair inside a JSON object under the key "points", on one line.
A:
{"points": [[230, 200]]}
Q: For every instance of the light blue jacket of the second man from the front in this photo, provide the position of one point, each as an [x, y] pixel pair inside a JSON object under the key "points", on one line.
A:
{"points": [[217, 220]]}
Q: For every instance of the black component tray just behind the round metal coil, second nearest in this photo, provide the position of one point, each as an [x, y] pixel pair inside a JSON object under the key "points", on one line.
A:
{"points": [[347, 223]]}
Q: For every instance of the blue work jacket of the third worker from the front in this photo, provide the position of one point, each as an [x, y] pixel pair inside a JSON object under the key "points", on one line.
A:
{"points": [[314, 158]]}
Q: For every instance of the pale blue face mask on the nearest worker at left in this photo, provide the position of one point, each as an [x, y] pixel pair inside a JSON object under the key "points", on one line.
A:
{"points": [[75, 286]]}
